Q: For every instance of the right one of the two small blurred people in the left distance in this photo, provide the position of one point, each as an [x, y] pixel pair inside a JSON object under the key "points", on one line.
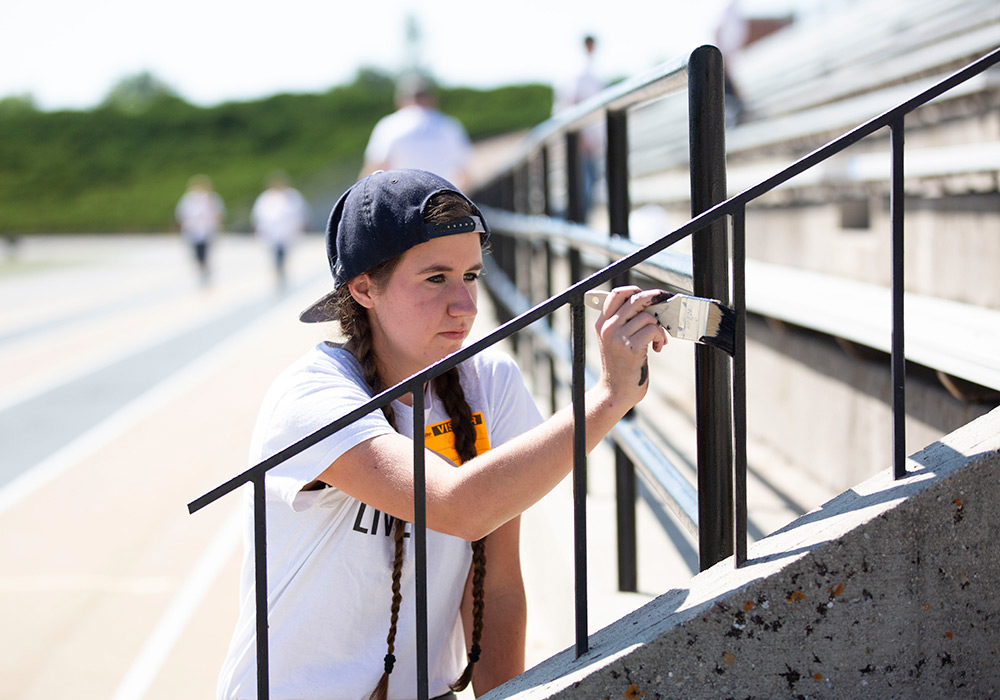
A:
{"points": [[279, 217]]}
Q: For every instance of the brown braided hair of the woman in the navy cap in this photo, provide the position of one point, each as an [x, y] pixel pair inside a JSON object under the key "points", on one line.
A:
{"points": [[356, 327]]}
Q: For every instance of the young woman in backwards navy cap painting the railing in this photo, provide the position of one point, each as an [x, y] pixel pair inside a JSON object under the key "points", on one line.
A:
{"points": [[405, 248]]}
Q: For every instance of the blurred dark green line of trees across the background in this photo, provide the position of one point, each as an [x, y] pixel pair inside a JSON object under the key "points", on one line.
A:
{"points": [[123, 165]]}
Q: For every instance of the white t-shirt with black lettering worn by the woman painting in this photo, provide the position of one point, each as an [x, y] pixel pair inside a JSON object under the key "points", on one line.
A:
{"points": [[330, 556]]}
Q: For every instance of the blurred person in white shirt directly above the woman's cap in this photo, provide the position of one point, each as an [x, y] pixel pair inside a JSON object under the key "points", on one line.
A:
{"points": [[418, 135]]}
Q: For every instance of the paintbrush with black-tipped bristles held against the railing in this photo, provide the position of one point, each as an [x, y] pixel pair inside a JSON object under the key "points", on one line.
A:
{"points": [[705, 321]]}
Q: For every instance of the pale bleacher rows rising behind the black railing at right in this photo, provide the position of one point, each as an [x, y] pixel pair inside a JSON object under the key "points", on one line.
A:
{"points": [[809, 83]]}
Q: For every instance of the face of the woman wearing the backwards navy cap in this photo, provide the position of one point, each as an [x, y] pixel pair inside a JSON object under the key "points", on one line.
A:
{"points": [[426, 309]]}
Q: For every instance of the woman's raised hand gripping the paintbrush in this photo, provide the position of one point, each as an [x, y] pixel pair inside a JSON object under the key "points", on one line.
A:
{"points": [[625, 333]]}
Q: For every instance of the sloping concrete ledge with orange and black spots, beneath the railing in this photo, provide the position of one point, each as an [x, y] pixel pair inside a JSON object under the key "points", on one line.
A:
{"points": [[888, 590]]}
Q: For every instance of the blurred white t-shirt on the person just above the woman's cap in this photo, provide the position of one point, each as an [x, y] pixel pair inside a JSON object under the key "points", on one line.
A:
{"points": [[416, 136]]}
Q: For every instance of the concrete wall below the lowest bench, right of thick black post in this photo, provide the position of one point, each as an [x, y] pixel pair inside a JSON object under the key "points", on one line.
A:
{"points": [[827, 408]]}
